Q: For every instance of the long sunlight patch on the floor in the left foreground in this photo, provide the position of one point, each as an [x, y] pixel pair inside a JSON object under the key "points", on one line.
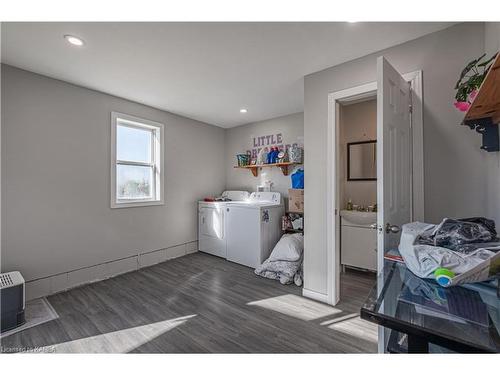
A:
{"points": [[122, 341]]}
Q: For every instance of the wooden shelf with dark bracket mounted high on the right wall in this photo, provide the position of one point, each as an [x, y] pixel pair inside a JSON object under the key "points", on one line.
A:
{"points": [[484, 113]]}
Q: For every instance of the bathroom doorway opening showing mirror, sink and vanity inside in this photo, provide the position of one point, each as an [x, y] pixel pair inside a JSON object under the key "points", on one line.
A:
{"points": [[356, 183]]}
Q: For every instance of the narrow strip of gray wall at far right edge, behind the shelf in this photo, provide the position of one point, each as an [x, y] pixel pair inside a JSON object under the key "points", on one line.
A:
{"points": [[492, 162]]}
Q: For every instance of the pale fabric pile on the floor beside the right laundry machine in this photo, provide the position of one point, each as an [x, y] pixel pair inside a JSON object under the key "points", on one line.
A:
{"points": [[285, 262]]}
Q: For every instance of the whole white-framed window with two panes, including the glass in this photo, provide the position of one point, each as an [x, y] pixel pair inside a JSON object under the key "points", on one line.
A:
{"points": [[136, 161]]}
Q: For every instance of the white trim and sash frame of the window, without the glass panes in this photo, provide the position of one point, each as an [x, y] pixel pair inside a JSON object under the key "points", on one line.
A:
{"points": [[159, 150]]}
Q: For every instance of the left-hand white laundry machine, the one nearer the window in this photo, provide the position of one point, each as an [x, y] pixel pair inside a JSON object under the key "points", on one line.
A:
{"points": [[211, 223]]}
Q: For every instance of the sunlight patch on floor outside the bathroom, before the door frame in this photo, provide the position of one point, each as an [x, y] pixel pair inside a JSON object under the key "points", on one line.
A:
{"points": [[296, 307]]}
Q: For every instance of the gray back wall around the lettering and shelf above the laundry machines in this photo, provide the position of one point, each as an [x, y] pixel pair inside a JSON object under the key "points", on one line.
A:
{"points": [[240, 139]]}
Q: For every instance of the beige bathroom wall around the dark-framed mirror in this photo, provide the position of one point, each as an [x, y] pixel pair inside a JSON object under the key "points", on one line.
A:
{"points": [[358, 122]]}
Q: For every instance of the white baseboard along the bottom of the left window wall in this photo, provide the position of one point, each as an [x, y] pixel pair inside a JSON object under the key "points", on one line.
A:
{"points": [[71, 279]]}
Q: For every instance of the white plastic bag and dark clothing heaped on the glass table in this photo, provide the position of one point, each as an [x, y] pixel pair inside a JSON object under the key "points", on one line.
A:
{"points": [[457, 245]]}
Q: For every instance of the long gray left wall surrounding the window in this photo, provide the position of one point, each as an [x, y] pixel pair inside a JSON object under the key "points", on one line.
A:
{"points": [[56, 180]]}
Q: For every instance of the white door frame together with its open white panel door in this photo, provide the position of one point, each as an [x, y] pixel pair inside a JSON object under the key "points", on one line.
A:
{"points": [[399, 167]]}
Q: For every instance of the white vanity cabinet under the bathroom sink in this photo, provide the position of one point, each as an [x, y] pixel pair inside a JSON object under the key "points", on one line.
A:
{"points": [[358, 243]]}
